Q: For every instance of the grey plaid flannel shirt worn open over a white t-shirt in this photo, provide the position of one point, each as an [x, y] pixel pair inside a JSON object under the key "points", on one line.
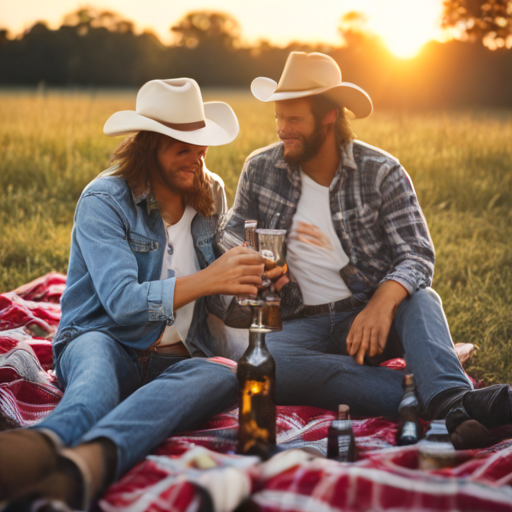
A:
{"points": [[375, 213]]}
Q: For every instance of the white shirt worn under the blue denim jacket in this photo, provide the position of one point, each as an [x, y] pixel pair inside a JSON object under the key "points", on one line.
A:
{"points": [[183, 261]]}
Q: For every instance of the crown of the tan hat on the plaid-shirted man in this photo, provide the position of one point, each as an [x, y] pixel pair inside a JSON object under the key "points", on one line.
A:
{"points": [[305, 71]]}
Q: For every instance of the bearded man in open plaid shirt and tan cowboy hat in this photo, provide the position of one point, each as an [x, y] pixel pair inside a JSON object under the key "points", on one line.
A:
{"points": [[361, 262]]}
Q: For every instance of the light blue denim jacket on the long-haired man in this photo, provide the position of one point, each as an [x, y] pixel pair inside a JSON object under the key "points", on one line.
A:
{"points": [[114, 285]]}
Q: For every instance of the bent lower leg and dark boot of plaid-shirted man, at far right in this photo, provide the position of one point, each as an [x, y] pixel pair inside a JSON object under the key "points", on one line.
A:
{"points": [[442, 385]]}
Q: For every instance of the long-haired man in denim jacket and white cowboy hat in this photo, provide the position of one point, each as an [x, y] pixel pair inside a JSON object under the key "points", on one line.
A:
{"points": [[142, 277]]}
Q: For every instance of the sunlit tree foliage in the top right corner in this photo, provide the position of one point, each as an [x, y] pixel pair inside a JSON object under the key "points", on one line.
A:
{"points": [[489, 21]]}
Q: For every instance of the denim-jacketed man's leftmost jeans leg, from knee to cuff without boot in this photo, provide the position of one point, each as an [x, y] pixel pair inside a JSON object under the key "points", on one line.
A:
{"points": [[97, 374]]}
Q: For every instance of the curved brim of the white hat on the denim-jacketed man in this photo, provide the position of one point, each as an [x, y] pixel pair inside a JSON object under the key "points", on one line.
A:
{"points": [[221, 126]]}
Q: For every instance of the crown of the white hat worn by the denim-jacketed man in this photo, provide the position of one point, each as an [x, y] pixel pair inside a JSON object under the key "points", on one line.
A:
{"points": [[176, 101]]}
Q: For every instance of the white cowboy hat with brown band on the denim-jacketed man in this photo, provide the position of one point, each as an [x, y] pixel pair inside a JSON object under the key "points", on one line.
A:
{"points": [[175, 108]]}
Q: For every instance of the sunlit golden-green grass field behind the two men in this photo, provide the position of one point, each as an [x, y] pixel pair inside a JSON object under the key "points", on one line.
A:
{"points": [[52, 145]]}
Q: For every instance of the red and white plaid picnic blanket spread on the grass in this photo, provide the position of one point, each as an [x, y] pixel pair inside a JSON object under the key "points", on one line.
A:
{"points": [[191, 469]]}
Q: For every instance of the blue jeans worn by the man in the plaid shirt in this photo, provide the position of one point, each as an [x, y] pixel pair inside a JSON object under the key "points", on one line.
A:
{"points": [[313, 366]]}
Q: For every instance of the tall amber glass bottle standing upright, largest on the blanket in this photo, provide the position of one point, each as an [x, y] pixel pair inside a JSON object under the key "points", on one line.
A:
{"points": [[257, 408]]}
